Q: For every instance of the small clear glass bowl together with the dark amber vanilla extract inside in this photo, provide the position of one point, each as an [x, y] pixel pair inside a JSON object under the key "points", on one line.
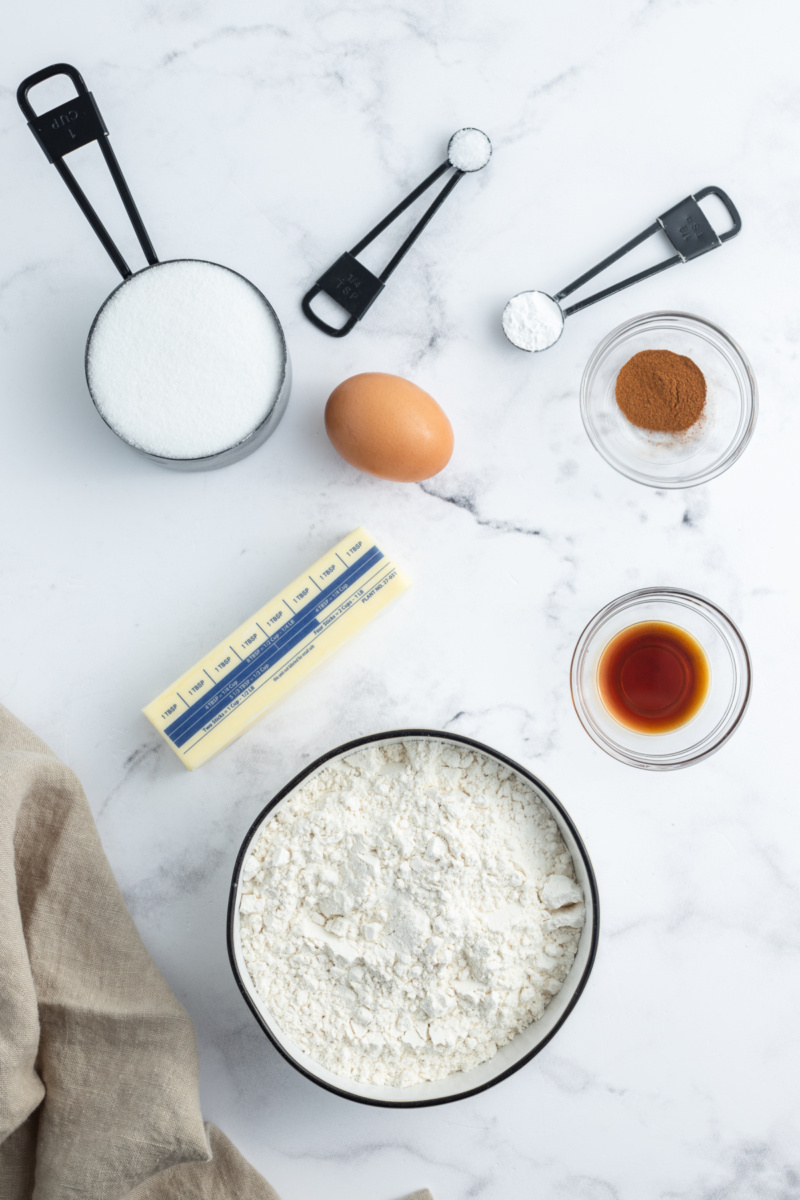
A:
{"points": [[661, 679]]}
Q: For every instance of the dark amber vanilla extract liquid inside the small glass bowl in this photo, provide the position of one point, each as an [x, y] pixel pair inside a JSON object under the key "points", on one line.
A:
{"points": [[653, 677]]}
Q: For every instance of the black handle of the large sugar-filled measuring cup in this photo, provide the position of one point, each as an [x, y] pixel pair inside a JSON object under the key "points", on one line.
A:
{"points": [[69, 127]]}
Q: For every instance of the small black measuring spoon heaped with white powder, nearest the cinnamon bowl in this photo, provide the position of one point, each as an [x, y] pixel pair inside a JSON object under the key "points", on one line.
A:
{"points": [[534, 321]]}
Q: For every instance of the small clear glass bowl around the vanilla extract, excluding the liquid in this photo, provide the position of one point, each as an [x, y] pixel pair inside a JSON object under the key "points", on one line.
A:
{"points": [[729, 688]]}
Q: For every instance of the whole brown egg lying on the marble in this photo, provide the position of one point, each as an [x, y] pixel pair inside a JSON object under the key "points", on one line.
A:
{"points": [[389, 428]]}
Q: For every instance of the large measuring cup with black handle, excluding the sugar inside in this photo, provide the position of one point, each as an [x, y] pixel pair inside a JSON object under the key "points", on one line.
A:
{"points": [[76, 124]]}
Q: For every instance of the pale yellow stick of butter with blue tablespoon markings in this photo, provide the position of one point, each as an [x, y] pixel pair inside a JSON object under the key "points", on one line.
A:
{"points": [[225, 693]]}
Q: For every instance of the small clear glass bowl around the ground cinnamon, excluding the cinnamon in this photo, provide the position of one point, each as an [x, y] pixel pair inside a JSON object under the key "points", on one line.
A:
{"points": [[672, 460]]}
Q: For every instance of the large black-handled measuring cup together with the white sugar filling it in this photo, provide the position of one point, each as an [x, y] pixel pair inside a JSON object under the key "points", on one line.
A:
{"points": [[187, 361]]}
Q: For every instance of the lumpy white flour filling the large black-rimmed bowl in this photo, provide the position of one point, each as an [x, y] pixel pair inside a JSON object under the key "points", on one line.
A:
{"points": [[410, 910]]}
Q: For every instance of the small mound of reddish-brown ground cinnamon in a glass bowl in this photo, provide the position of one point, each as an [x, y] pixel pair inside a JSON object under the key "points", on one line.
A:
{"points": [[661, 391]]}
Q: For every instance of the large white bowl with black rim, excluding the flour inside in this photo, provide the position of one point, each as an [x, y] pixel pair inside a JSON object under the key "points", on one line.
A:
{"points": [[509, 1058]]}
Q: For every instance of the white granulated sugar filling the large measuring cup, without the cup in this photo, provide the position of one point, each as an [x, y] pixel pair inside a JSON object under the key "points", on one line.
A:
{"points": [[185, 359]]}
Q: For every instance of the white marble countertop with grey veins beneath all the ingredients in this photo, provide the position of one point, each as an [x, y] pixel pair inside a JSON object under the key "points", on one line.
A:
{"points": [[269, 137]]}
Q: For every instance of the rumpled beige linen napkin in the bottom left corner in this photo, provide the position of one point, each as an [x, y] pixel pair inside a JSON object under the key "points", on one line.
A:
{"points": [[99, 1073]]}
